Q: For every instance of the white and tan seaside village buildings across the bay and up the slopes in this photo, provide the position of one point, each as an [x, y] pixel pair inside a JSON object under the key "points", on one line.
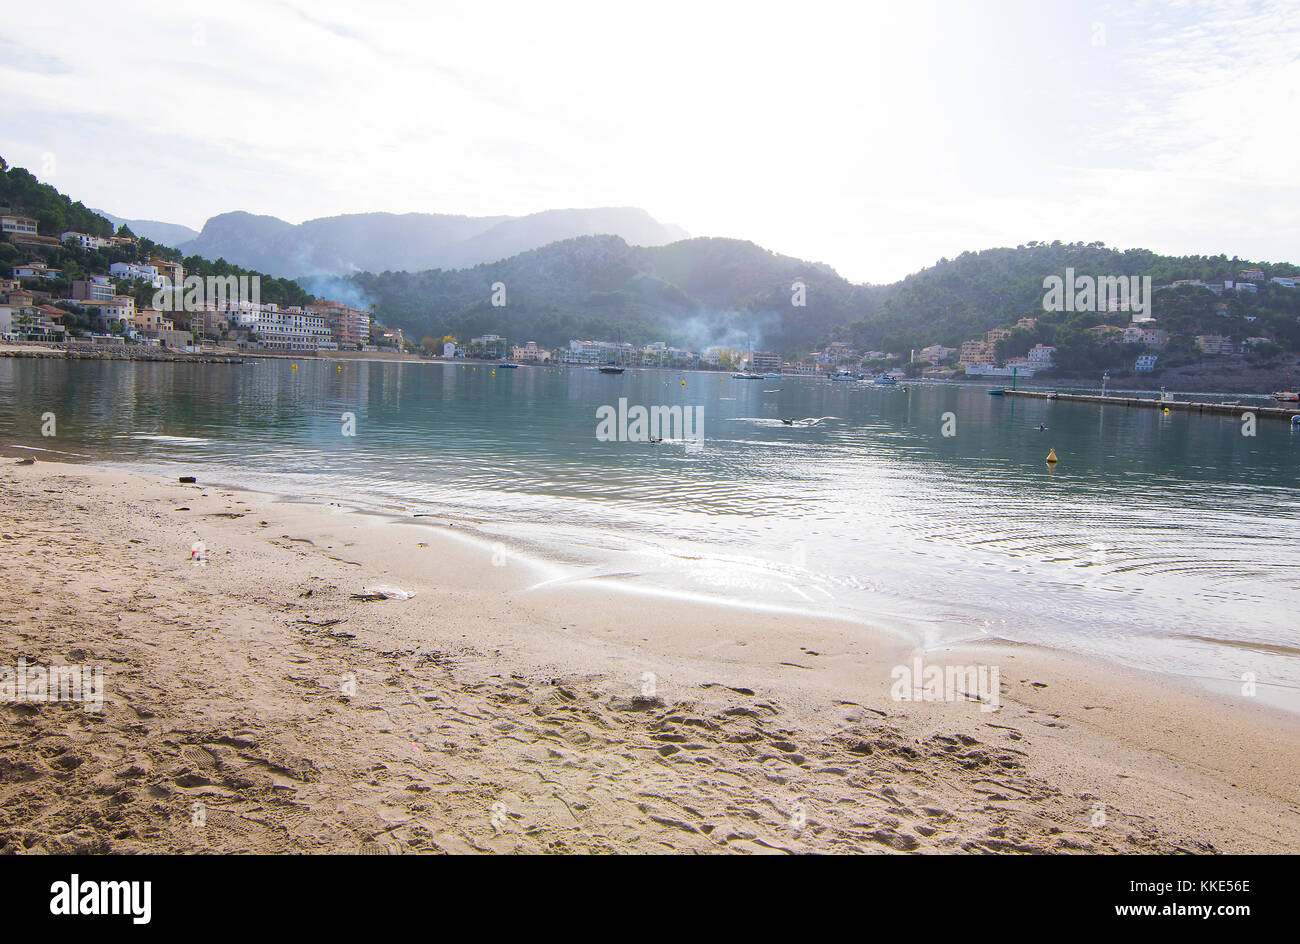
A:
{"points": [[32, 313]]}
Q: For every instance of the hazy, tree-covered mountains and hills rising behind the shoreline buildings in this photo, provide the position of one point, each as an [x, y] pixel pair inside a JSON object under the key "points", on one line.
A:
{"points": [[617, 274]]}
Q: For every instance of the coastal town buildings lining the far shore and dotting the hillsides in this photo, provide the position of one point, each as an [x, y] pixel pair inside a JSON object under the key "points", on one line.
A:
{"points": [[188, 315]]}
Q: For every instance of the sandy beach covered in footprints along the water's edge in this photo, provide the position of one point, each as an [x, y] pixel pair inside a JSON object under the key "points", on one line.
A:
{"points": [[255, 700]]}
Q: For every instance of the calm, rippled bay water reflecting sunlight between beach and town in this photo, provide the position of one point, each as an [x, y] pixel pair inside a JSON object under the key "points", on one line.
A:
{"points": [[1167, 543]]}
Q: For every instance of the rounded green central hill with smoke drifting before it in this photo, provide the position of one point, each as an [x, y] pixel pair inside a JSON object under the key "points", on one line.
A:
{"points": [[692, 293]]}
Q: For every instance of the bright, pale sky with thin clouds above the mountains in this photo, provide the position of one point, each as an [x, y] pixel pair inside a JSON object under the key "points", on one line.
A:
{"points": [[873, 137]]}
